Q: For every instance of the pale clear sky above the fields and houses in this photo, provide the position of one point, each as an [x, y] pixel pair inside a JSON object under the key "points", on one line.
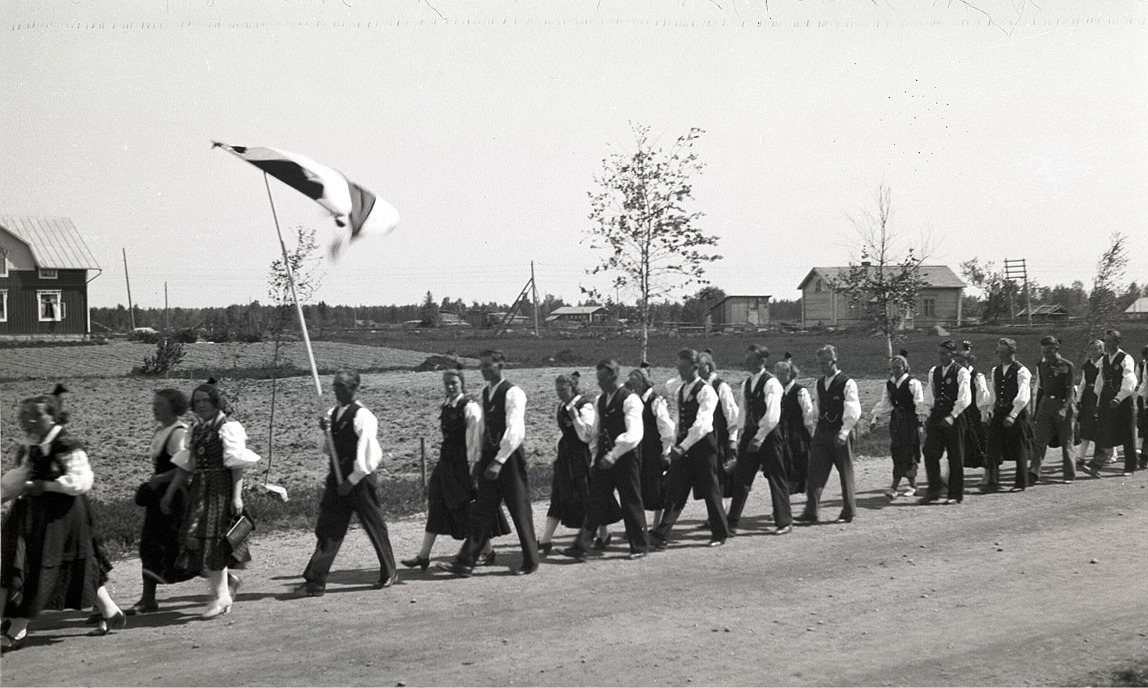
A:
{"points": [[1004, 129]]}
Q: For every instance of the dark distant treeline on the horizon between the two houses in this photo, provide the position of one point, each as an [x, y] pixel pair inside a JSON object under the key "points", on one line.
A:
{"points": [[254, 321]]}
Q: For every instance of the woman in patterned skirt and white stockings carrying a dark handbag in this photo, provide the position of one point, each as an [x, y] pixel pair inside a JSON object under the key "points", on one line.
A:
{"points": [[213, 468]]}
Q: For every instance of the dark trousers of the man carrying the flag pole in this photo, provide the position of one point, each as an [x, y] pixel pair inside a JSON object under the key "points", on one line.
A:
{"points": [[336, 513]]}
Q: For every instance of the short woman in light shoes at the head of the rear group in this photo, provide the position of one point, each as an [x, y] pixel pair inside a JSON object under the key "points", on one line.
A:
{"points": [[899, 400]]}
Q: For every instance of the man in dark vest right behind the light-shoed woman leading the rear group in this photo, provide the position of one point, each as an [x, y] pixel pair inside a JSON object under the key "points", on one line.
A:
{"points": [[947, 396]]}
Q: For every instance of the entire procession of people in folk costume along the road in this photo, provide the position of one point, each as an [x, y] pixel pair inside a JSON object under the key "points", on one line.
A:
{"points": [[624, 453]]}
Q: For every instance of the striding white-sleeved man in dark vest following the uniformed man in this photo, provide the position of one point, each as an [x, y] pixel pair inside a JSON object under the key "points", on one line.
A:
{"points": [[1115, 408]]}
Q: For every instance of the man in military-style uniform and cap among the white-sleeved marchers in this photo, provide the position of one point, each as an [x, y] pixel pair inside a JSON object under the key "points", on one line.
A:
{"points": [[1053, 418]]}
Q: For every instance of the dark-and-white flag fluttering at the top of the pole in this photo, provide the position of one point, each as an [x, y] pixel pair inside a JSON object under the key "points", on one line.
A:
{"points": [[354, 208]]}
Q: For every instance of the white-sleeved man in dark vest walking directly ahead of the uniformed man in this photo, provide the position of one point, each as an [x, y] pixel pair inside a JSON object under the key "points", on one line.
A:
{"points": [[1010, 431]]}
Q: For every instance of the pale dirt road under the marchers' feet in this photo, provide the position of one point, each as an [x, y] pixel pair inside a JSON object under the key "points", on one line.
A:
{"points": [[1035, 589]]}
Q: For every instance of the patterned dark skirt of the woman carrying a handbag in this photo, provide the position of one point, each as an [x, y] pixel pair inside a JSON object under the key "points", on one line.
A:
{"points": [[207, 520]]}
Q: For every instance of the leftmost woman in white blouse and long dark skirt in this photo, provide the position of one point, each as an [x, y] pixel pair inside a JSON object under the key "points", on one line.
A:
{"points": [[51, 559]]}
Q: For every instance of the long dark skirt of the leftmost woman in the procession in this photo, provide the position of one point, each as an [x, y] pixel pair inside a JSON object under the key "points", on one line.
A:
{"points": [[51, 555]]}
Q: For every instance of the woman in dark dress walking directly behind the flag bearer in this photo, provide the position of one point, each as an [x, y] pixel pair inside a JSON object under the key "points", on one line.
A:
{"points": [[451, 491]]}
